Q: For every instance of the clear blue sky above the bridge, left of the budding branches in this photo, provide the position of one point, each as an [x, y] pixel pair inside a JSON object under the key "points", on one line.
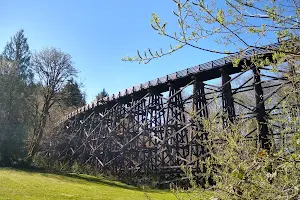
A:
{"points": [[97, 34]]}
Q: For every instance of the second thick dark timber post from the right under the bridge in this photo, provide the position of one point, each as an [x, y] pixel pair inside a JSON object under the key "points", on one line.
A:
{"points": [[227, 98]]}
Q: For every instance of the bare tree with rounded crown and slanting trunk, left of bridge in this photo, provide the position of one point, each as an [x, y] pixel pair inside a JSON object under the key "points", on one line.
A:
{"points": [[53, 68]]}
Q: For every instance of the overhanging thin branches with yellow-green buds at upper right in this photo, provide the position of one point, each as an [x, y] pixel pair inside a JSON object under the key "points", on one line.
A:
{"points": [[234, 26]]}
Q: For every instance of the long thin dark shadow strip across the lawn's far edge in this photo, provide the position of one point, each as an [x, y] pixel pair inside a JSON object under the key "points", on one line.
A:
{"points": [[87, 178]]}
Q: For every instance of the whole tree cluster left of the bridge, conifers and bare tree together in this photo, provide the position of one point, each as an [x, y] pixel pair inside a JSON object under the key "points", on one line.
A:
{"points": [[26, 104]]}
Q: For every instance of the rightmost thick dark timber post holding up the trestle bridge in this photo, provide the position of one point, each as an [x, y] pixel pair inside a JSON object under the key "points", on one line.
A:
{"points": [[260, 111]]}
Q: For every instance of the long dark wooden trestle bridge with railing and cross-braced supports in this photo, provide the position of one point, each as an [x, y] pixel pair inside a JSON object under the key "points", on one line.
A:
{"points": [[148, 129]]}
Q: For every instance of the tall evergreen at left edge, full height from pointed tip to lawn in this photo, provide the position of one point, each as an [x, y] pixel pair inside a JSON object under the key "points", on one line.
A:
{"points": [[16, 94]]}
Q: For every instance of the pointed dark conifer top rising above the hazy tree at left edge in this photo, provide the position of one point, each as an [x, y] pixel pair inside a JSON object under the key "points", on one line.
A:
{"points": [[17, 50]]}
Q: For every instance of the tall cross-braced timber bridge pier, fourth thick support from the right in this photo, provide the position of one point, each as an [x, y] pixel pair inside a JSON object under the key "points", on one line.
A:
{"points": [[175, 136]]}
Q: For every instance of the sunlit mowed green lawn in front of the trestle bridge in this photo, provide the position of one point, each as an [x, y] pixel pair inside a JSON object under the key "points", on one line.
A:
{"points": [[18, 184]]}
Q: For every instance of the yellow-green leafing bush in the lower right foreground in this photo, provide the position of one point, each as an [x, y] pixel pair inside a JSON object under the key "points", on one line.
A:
{"points": [[241, 169]]}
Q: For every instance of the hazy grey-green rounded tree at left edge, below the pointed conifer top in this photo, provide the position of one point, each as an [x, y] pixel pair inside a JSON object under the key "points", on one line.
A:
{"points": [[14, 114]]}
